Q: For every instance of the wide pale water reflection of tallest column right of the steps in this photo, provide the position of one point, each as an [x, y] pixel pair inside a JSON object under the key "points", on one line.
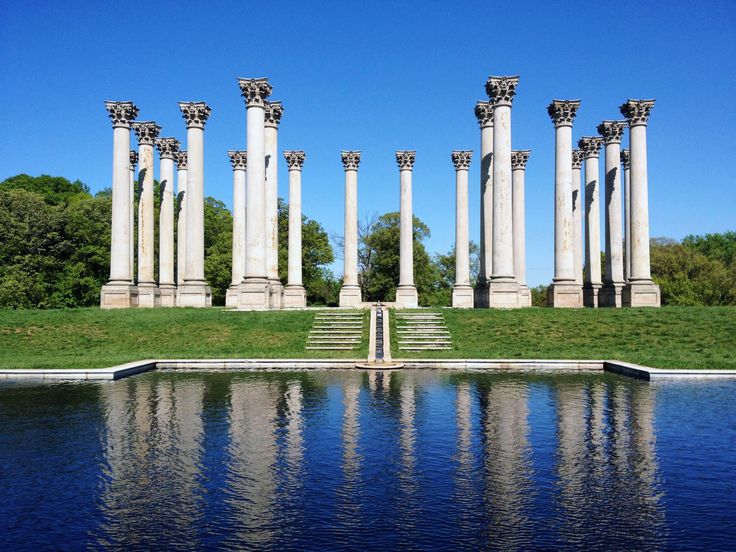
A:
{"points": [[507, 462]]}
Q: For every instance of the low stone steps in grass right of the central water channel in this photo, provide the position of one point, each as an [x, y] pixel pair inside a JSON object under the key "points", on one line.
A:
{"points": [[422, 331]]}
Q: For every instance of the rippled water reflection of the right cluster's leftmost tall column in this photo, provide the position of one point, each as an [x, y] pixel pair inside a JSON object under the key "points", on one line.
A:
{"points": [[571, 451]]}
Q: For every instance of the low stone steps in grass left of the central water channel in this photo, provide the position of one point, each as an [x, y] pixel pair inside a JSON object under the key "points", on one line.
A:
{"points": [[336, 331]]}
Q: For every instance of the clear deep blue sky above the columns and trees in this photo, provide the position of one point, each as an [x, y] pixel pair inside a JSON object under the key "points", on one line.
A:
{"points": [[382, 76]]}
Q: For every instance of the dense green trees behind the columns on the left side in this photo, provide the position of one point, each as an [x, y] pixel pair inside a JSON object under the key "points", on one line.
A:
{"points": [[55, 245]]}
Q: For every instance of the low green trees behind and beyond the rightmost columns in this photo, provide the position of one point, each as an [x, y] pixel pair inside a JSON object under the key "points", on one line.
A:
{"points": [[698, 271]]}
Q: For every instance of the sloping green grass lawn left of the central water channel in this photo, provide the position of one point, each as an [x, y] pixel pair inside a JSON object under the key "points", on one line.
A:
{"points": [[93, 338]]}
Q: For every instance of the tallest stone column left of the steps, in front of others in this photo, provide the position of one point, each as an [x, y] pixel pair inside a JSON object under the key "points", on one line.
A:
{"points": [[255, 291]]}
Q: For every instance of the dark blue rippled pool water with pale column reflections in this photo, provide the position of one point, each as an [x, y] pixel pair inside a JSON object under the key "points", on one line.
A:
{"points": [[369, 461]]}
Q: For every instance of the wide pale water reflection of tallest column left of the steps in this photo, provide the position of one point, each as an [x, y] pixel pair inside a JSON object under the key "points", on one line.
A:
{"points": [[252, 452]]}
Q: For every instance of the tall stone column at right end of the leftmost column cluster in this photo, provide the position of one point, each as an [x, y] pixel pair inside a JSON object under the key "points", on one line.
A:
{"points": [[195, 292]]}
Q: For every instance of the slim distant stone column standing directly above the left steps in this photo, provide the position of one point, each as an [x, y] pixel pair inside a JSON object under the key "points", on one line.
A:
{"points": [[350, 295]]}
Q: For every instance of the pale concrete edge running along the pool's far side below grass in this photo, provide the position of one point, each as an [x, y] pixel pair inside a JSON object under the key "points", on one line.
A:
{"points": [[495, 365]]}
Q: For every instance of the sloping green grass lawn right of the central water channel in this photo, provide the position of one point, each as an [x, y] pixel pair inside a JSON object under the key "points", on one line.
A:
{"points": [[669, 337]]}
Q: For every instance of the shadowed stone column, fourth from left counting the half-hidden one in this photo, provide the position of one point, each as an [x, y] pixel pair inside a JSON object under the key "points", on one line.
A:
{"points": [[167, 149]]}
